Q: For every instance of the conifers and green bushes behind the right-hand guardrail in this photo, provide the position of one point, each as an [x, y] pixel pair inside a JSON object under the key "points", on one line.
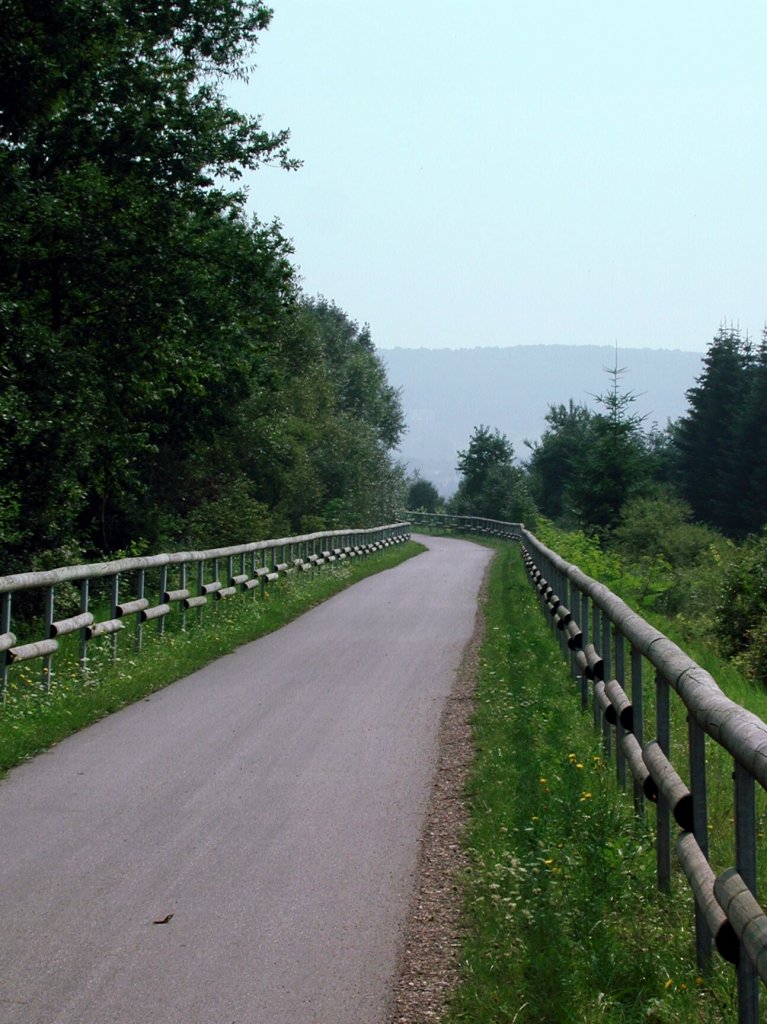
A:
{"points": [[673, 520]]}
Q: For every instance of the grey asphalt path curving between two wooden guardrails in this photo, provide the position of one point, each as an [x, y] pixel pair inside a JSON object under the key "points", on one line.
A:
{"points": [[268, 809]]}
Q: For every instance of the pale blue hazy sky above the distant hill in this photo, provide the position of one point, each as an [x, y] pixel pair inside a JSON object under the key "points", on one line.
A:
{"points": [[510, 173]]}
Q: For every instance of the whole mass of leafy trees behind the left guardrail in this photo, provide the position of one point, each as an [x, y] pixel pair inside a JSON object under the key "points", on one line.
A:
{"points": [[163, 380]]}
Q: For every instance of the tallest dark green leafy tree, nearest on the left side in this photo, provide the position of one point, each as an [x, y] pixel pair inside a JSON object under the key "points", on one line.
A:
{"points": [[120, 235]]}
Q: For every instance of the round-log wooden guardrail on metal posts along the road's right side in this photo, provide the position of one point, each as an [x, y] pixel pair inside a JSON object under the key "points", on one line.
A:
{"points": [[610, 648]]}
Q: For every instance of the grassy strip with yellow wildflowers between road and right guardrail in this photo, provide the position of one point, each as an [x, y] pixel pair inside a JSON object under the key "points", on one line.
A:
{"points": [[564, 922]]}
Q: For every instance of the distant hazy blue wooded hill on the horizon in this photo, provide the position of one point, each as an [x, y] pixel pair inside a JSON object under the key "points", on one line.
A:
{"points": [[448, 393]]}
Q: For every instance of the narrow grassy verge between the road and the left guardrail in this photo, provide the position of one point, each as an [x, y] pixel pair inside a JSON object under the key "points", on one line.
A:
{"points": [[33, 719]]}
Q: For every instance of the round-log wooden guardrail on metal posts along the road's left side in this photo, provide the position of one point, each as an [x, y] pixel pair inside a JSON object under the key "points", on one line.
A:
{"points": [[185, 581]]}
